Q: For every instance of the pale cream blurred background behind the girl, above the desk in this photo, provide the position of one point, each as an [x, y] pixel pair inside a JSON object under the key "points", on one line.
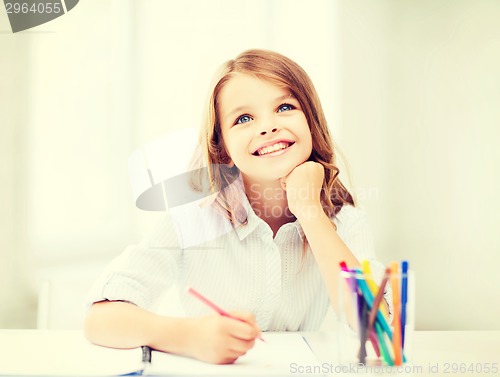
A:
{"points": [[411, 90]]}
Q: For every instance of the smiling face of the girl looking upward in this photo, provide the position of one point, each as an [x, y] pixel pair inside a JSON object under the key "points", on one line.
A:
{"points": [[263, 127]]}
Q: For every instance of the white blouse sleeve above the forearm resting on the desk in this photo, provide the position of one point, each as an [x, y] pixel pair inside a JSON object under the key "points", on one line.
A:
{"points": [[142, 273]]}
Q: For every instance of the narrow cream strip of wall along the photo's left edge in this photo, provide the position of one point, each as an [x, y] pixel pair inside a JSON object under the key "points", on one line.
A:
{"points": [[14, 261]]}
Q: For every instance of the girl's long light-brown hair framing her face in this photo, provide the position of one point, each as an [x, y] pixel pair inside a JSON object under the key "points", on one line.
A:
{"points": [[222, 179]]}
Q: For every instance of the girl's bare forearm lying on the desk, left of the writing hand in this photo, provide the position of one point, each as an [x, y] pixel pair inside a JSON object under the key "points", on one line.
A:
{"points": [[123, 325]]}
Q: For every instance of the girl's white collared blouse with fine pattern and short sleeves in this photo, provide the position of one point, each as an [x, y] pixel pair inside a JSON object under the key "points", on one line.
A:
{"points": [[241, 268]]}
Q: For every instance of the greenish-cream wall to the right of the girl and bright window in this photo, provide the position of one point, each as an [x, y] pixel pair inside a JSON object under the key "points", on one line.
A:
{"points": [[421, 117]]}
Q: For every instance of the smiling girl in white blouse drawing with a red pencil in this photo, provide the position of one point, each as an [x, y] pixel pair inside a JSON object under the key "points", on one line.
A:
{"points": [[287, 222]]}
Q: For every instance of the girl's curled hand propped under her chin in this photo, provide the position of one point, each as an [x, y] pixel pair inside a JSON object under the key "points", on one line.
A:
{"points": [[303, 189]]}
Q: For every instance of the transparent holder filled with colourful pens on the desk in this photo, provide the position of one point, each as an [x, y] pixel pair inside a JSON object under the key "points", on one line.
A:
{"points": [[375, 336]]}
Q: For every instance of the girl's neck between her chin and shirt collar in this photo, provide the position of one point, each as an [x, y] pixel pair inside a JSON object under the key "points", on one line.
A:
{"points": [[269, 202]]}
